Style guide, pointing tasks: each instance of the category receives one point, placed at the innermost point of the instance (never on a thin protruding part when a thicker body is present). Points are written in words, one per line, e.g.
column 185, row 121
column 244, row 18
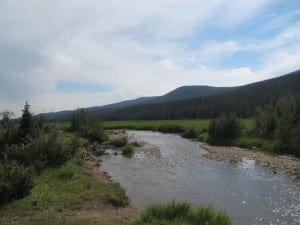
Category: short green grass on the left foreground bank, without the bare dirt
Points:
column 61, row 189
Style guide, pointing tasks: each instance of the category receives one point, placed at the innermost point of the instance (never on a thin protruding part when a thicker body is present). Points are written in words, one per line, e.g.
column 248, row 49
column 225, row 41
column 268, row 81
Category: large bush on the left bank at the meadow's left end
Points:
column 87, row 125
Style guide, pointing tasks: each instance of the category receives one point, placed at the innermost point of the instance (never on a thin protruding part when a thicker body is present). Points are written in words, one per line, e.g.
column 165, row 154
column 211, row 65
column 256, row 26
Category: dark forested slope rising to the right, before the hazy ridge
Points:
column 243, row 100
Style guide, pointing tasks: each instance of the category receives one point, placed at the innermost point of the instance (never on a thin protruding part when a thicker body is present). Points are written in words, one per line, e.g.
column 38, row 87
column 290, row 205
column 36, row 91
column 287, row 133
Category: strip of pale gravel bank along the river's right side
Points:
column 235, row 154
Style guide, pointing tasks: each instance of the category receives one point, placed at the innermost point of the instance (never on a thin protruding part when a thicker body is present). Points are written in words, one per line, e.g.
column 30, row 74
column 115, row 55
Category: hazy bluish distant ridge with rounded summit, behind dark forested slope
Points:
column 181, row 93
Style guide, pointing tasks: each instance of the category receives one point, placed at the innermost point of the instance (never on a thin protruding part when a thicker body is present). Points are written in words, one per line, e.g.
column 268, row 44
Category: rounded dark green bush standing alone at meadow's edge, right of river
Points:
column 224, row 129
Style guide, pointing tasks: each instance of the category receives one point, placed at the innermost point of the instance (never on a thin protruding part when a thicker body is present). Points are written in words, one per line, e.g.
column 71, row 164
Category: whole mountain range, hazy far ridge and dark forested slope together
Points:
column 197, row 101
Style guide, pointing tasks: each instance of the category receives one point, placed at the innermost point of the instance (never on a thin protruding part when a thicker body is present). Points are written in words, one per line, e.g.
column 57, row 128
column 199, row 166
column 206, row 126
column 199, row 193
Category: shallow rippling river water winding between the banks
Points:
column 249, row 193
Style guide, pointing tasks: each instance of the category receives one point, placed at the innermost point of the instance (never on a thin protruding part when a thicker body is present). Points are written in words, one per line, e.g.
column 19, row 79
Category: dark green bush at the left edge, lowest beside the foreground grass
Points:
column 15, row 182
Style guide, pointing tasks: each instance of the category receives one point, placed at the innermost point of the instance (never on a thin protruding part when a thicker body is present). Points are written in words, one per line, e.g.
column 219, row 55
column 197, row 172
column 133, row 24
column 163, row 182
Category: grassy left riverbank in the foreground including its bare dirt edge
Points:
column 76, row 193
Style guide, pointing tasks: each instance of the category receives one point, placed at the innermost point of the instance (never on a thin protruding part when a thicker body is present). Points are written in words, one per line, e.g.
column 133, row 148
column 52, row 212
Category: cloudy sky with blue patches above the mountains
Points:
column 60, row 54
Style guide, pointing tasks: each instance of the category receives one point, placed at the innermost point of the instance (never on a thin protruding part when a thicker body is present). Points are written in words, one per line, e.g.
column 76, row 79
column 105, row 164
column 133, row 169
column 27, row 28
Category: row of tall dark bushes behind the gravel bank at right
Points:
column 278, row 122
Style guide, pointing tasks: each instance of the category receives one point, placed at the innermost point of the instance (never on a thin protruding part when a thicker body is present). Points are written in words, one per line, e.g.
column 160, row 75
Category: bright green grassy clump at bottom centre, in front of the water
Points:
column 181, row 213
